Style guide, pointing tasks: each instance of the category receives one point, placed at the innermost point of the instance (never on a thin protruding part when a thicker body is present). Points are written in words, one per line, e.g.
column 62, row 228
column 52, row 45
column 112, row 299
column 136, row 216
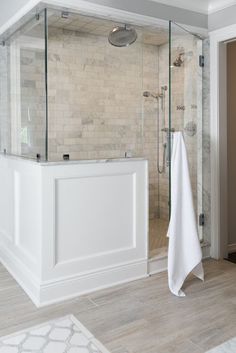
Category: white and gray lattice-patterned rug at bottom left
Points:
column 65, row 335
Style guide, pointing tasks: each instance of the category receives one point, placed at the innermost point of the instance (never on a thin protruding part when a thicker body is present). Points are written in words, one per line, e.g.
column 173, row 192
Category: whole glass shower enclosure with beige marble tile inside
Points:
column 65, row 92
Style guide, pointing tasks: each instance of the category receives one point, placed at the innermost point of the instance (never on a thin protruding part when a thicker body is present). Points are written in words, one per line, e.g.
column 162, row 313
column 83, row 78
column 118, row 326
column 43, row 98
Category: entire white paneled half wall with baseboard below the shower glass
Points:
column 73, row 228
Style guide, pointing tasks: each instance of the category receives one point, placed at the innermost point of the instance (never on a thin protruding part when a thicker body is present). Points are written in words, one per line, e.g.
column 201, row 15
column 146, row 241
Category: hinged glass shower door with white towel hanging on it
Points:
column 186, row 102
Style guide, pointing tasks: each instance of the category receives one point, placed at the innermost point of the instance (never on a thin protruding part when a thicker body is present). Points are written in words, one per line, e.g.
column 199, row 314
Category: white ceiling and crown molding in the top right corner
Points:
column 202, row 6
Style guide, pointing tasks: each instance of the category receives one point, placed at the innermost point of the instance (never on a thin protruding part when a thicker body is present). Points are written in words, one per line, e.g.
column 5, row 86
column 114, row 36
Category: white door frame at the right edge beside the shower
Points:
column 218, row 134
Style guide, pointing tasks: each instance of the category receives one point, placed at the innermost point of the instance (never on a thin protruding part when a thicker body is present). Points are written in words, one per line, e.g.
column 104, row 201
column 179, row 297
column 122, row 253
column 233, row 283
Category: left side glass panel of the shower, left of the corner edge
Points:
column 23, row 97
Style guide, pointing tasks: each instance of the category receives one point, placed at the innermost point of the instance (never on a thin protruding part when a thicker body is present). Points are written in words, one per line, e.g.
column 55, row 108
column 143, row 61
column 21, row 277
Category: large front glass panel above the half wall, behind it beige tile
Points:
column 95, row 90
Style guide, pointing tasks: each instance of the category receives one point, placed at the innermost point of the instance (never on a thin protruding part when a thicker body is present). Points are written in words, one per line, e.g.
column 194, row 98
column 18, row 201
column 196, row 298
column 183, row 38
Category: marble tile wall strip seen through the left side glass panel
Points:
column 32, row 102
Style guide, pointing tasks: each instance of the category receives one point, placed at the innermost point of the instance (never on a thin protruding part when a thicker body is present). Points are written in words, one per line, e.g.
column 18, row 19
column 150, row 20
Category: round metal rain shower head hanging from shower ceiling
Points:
column 122, row 36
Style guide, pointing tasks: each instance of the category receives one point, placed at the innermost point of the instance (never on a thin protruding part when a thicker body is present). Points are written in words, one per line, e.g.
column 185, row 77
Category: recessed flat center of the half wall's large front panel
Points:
column 94, row 216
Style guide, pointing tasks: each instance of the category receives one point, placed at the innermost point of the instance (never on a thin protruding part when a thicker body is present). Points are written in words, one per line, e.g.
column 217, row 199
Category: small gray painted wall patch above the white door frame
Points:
column 222, row 18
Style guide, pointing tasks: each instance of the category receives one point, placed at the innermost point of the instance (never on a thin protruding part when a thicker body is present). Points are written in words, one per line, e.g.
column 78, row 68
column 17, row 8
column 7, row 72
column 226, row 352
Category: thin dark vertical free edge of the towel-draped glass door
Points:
column 170, row 112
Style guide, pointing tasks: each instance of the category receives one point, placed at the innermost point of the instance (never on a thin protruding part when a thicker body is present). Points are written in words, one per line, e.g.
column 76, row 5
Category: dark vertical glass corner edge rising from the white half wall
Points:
column 46, row 81
